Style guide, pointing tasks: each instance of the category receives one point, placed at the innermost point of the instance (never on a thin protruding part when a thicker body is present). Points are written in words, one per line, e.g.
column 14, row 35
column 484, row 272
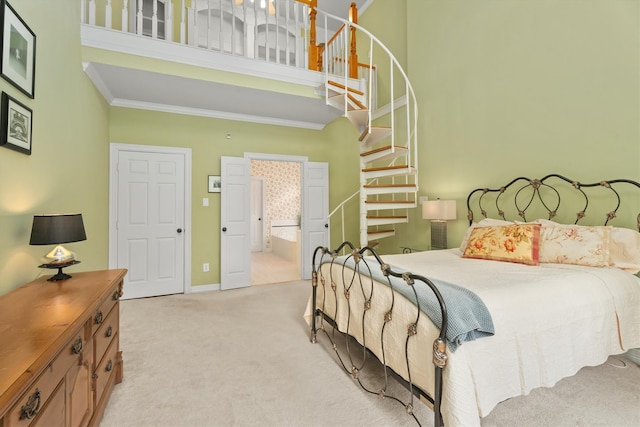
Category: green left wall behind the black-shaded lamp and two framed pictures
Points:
column 68, row 168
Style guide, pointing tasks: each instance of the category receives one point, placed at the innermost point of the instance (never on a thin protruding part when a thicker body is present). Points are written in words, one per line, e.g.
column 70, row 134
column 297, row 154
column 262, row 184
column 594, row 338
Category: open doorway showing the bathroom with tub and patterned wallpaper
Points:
column 276, row 194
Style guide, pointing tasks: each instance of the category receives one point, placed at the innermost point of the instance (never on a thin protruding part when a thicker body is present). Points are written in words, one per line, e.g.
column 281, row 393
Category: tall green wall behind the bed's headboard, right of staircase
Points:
column 528, row 87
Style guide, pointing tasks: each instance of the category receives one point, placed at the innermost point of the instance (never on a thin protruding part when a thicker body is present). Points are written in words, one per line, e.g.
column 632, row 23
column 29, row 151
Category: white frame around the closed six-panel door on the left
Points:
column 114, row 149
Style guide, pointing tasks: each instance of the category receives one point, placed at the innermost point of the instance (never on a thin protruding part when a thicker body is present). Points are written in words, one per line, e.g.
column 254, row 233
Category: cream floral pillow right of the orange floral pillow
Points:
column 575, row 244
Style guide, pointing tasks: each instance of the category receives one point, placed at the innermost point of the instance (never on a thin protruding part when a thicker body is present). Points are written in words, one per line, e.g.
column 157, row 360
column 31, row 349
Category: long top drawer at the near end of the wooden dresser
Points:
column 44, row 389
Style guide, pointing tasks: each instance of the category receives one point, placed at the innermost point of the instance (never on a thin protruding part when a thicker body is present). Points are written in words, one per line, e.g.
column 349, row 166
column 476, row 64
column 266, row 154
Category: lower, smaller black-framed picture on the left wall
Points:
column 16, row 124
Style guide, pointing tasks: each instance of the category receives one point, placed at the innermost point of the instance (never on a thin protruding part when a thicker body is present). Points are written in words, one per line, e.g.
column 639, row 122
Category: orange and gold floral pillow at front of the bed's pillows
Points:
column 514, row 243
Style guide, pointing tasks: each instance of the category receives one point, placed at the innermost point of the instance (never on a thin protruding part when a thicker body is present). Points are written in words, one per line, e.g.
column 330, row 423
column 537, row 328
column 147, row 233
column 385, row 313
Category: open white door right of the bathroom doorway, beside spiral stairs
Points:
column 315, row 212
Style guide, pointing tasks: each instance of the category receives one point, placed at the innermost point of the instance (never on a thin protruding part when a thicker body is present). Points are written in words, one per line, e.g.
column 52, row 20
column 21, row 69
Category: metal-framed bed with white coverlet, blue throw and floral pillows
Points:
column 469, row 327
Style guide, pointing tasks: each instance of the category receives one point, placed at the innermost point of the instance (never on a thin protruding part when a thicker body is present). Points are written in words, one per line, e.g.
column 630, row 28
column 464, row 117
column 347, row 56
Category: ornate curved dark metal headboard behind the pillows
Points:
column 529, row 199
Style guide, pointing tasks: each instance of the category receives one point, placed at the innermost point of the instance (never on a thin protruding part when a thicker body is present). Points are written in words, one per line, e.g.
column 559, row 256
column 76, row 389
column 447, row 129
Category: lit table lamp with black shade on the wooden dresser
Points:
column 56, row 229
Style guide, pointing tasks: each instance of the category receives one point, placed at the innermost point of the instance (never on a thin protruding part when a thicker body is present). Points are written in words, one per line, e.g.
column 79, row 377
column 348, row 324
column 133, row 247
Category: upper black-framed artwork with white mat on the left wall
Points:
column 18, row 45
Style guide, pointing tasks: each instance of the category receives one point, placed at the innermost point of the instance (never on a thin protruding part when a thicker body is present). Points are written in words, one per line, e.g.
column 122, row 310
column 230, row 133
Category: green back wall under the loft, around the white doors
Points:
column 207, row 138
